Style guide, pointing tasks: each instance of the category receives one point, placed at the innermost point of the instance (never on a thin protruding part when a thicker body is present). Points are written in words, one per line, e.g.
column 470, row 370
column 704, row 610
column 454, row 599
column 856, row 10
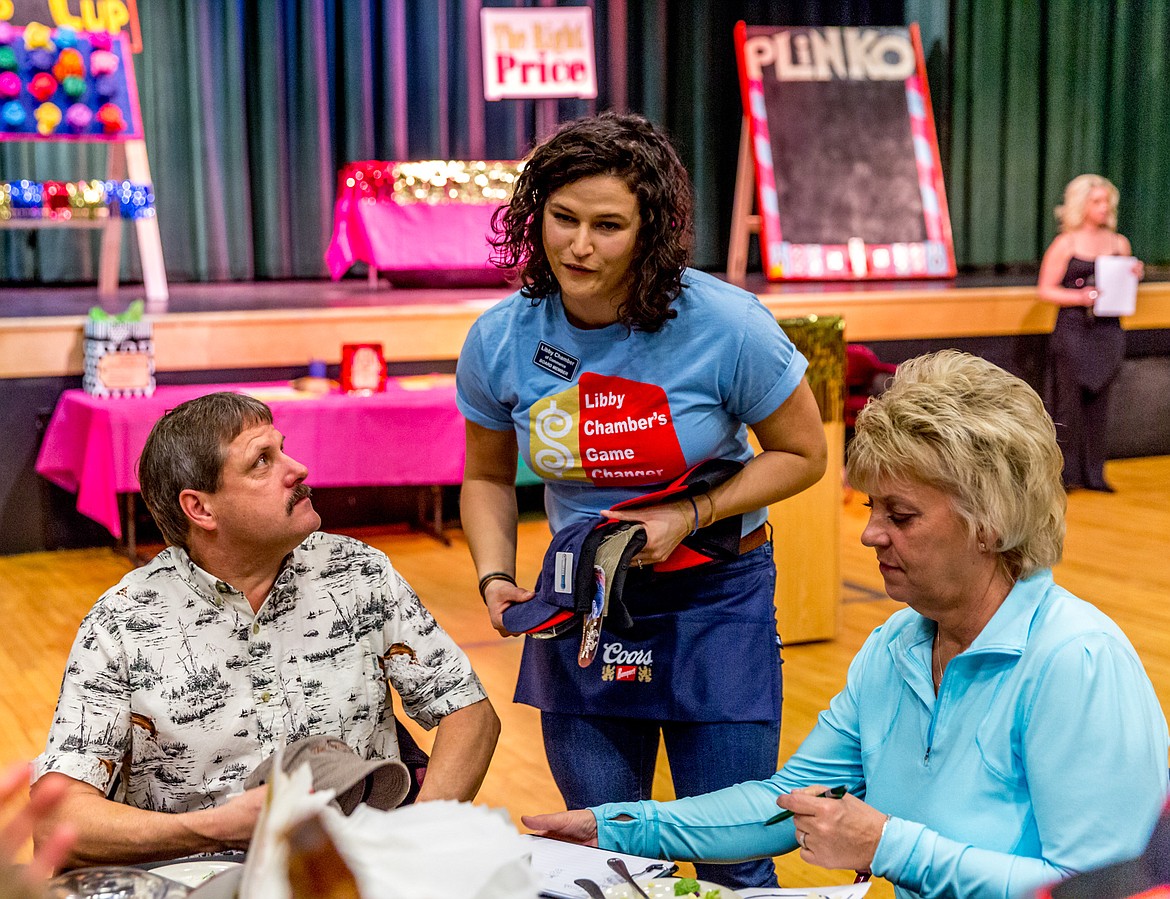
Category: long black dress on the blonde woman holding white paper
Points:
column 1085, row 355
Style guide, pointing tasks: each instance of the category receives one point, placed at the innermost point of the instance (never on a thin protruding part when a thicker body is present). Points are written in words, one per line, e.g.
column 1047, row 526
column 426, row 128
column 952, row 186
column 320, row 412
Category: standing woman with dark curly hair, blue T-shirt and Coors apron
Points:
column 614, row 372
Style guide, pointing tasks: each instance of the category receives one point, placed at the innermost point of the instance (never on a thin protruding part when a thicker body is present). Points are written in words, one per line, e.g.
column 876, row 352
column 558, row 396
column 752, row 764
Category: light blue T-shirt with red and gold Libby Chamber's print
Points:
column 607, row 415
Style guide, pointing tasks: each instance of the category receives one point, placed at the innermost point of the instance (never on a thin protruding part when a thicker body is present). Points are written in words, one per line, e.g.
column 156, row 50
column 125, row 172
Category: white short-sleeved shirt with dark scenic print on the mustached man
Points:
column 175, row 685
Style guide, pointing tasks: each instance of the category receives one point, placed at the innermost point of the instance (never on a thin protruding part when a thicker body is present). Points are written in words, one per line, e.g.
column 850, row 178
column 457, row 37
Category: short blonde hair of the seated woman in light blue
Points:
column 967, row 428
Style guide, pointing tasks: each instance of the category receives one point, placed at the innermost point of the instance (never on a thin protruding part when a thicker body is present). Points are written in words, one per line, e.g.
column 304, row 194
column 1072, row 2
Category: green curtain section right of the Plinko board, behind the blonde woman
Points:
column 1043, row 92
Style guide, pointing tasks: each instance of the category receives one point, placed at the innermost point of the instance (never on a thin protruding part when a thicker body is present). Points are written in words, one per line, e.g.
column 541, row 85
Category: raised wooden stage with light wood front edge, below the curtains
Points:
column 278, row 325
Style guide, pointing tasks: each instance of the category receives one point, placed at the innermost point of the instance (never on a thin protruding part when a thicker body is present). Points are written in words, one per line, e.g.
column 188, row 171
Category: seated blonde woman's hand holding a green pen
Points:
column 839, row 834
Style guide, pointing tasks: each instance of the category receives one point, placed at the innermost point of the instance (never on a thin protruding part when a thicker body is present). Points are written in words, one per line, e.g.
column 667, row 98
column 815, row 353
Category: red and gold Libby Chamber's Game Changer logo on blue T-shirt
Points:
column 608, row 431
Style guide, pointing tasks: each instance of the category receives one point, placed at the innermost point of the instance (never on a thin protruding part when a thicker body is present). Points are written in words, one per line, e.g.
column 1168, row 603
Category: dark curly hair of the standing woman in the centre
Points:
column 632, row 149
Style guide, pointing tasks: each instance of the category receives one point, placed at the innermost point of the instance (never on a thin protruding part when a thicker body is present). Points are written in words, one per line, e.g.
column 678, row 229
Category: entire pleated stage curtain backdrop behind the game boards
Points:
column 251, row 107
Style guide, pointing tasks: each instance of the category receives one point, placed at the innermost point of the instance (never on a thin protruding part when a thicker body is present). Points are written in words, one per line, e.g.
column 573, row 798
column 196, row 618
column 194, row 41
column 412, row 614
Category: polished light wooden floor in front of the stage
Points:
column 1117, row 557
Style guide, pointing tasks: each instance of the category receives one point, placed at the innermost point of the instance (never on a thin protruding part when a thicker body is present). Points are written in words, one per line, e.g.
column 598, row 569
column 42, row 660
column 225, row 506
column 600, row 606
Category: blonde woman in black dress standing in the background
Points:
column 1086, row 351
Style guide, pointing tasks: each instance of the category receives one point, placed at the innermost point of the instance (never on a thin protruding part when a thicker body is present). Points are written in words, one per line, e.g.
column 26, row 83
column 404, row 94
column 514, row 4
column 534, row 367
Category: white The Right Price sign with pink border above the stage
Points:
column 539, row 53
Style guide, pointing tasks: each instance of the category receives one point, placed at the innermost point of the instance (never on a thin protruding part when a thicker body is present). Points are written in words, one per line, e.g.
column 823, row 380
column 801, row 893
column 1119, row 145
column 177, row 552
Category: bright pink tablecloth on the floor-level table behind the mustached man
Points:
column 411, row 435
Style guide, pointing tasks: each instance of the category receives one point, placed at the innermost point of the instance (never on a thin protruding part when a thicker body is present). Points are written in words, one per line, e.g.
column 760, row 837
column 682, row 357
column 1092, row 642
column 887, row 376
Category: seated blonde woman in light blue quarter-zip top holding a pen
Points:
column 1000, row 733
